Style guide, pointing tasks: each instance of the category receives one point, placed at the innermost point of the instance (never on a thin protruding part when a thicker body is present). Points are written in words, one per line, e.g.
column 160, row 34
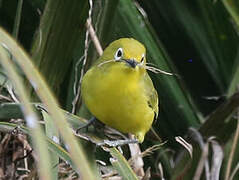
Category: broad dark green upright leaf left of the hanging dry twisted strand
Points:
column 61, row 25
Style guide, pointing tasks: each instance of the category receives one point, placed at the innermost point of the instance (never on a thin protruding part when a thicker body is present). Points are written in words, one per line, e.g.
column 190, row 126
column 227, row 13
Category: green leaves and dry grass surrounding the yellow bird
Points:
column 197, row 41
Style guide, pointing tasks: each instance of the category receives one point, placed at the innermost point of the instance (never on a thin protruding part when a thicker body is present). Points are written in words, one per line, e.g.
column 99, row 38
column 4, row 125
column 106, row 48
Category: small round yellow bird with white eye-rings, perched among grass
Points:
column 118, row 90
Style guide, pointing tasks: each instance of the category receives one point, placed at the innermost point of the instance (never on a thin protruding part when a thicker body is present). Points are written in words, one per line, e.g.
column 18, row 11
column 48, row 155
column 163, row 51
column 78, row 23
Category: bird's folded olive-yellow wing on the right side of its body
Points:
column 151, row 94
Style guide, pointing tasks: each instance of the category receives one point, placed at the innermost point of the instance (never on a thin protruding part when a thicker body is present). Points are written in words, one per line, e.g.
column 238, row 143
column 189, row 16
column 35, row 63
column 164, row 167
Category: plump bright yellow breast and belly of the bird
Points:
column 116, row 97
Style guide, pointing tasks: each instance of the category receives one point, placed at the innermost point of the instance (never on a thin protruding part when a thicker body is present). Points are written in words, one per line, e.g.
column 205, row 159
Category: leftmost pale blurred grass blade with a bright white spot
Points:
column 30, row 116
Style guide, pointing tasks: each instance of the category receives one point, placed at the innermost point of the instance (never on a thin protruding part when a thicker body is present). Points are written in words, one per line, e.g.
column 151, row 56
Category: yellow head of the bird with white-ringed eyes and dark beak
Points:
column 127, row 51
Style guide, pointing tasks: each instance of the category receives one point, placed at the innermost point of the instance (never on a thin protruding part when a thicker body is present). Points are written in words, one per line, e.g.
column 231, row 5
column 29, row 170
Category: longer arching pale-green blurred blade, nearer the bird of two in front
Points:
column 47, row 98
